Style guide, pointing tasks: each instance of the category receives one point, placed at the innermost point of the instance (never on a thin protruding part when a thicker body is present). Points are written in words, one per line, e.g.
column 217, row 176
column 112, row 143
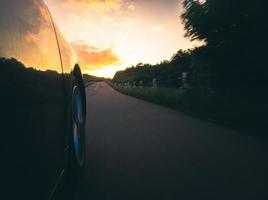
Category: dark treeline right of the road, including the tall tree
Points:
column 228, row 75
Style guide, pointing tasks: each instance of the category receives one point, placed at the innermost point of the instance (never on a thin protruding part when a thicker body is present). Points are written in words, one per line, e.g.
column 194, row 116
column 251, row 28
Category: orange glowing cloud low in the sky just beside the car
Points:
column 92, row 58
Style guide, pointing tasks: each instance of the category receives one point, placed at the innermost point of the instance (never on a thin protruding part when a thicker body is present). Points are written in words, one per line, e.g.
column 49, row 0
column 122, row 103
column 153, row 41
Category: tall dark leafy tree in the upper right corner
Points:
column 235, row 32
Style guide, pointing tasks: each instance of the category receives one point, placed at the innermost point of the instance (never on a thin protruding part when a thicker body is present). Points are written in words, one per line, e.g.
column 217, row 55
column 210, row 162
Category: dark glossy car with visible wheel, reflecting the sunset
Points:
column 43, row 104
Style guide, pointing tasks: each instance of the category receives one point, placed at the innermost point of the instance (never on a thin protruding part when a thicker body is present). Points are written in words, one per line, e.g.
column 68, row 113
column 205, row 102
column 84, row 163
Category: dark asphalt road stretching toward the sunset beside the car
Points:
column 138, row 150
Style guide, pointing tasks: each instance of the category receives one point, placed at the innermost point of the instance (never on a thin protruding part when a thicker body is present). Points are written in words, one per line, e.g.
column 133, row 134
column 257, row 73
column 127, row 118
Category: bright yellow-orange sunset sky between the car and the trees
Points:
column 111, row 35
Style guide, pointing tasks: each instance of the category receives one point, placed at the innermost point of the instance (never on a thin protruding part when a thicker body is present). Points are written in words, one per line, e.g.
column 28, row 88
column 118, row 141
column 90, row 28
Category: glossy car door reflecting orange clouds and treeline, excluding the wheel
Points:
column 32, row 101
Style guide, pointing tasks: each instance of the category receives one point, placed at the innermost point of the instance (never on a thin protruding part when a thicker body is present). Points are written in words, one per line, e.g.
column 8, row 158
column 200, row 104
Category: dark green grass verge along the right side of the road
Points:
column 201, row 103
